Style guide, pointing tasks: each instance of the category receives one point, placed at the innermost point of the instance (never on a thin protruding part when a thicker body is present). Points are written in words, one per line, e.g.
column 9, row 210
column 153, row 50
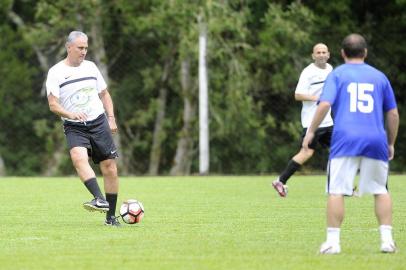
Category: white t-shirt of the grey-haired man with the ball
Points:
column 77, row 88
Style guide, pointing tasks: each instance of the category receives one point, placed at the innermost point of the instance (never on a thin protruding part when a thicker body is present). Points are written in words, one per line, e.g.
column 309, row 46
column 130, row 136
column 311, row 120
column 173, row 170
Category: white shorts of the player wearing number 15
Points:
column 342, row 171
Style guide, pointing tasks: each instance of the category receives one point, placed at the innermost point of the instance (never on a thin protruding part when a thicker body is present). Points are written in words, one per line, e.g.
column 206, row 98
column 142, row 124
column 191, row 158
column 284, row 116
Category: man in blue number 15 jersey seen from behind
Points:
column 362, row 100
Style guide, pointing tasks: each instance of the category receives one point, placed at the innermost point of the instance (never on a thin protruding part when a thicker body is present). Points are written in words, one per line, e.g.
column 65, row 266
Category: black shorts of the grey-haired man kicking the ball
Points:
column 94, row 135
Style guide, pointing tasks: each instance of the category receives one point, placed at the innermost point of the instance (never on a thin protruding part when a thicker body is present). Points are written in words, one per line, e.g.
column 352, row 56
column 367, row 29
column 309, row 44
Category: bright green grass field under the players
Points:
column 191, row 223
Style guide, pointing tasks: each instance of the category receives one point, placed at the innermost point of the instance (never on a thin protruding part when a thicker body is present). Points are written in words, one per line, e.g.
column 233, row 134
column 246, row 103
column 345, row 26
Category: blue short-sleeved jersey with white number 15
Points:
column 359, row 95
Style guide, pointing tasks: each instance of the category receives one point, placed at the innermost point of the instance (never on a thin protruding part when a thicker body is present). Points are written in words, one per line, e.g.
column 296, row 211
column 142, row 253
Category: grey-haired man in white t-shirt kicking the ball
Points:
column 78, row 94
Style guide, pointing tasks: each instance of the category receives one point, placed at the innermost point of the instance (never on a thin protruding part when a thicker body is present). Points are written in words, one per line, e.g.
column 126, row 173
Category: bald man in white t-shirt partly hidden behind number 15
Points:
column 308, row 91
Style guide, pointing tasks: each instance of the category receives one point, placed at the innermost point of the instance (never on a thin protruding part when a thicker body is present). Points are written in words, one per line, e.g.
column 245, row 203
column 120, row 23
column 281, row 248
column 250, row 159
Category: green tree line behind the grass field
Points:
column 148, row 54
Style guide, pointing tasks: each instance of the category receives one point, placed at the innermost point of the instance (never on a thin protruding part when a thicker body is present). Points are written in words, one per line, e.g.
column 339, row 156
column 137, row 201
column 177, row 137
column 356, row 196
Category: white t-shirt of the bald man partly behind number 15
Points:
column 311, row 82
